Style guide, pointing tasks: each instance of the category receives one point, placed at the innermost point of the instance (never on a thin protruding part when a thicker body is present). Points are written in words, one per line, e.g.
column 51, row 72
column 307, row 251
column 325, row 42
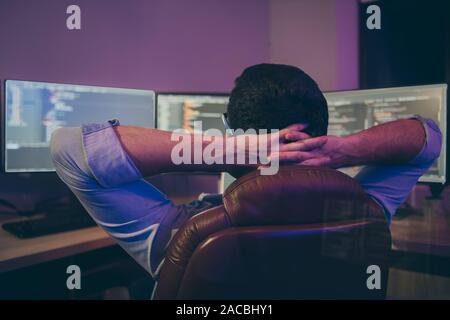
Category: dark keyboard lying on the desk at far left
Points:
column 50, row 224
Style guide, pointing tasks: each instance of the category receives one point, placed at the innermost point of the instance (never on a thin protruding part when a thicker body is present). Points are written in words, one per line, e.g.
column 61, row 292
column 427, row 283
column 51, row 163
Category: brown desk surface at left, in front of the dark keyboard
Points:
column 17, row 253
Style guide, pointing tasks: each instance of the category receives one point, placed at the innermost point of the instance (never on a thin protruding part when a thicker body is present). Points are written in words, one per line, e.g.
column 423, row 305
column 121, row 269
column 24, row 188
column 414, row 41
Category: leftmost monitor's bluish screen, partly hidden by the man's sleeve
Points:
column 33, row 110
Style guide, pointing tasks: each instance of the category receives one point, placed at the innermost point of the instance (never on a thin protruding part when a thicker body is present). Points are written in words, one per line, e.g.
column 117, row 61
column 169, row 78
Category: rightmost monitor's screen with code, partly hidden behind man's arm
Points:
column 352, row 111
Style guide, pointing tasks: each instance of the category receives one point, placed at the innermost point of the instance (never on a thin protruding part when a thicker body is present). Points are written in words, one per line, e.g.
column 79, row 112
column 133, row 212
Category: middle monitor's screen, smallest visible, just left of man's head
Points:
column 177, row 111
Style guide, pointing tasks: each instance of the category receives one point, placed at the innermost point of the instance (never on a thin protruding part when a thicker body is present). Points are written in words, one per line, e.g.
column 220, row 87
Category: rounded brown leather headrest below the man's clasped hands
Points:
column 298, row 194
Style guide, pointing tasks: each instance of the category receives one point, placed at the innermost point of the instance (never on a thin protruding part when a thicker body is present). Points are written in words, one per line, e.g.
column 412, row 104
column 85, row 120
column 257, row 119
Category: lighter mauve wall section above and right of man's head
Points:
column 319, row 36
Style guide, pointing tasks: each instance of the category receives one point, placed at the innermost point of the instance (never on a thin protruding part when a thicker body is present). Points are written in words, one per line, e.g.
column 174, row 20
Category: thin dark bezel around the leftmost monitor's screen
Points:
column 3, row 117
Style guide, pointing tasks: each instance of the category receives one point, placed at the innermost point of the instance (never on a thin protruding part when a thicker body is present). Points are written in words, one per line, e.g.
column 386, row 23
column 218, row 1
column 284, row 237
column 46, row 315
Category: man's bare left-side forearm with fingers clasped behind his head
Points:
column 155, row 151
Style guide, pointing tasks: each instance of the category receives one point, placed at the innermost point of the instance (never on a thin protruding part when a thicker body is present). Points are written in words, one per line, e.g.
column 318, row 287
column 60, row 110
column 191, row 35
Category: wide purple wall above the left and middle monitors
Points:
column 159, row 44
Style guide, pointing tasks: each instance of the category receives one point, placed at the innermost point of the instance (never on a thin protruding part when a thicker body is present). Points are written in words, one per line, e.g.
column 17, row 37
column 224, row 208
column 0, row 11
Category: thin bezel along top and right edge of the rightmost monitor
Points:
column 443, row 113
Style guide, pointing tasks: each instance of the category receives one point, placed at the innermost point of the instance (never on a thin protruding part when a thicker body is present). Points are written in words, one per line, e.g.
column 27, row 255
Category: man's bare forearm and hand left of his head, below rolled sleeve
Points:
column 151, row 149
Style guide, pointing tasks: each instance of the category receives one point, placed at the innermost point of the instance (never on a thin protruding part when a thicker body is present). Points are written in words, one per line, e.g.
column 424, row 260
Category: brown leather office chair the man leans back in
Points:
column 306, row 232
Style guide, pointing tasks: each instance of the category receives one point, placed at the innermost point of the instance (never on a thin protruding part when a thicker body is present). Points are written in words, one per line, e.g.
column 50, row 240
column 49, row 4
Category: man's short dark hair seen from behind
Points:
column 273, row 96
